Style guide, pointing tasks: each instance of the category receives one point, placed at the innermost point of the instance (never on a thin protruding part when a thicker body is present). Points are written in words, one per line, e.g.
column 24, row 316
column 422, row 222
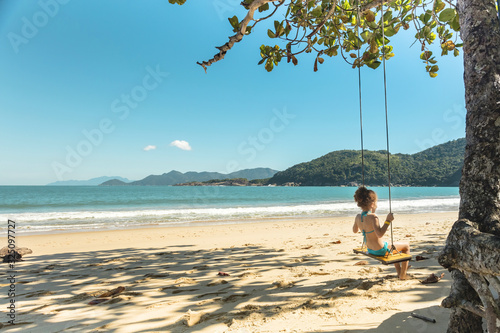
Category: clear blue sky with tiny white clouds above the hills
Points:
column 91, row 88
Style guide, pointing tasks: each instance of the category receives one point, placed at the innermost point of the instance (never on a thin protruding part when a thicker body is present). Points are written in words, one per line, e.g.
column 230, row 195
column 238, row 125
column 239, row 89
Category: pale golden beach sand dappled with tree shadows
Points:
column 283, row 276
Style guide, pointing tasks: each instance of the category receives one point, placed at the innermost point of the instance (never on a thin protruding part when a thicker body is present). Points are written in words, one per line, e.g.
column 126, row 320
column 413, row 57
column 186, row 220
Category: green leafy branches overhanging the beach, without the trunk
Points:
column 358, row 31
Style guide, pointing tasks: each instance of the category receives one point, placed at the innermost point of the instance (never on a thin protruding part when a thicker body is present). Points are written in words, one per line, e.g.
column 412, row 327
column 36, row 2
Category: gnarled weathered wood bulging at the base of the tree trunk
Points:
column 473, row 257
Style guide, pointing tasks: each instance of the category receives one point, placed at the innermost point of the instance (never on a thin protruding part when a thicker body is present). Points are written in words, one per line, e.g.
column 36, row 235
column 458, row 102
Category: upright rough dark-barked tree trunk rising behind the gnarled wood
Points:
column 480, row 182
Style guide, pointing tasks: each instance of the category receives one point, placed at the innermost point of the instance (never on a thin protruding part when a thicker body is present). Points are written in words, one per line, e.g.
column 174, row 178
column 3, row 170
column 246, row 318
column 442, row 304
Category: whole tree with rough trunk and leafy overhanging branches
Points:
column 359, row 31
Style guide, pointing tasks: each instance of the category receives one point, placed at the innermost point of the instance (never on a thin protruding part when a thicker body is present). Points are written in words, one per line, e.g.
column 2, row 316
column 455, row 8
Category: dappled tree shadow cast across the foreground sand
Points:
column 177, row 289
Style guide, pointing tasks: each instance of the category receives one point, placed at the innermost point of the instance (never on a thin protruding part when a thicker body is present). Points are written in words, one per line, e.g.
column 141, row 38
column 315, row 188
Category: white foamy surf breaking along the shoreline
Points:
column 127, row 218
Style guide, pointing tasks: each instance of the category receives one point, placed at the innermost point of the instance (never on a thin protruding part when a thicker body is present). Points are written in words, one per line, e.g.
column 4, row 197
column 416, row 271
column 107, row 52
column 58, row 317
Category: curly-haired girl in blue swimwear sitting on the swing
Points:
column 368, row 223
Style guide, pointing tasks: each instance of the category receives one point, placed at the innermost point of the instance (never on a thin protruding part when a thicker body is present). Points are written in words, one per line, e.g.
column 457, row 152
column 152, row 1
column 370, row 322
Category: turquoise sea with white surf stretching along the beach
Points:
column 54, row 209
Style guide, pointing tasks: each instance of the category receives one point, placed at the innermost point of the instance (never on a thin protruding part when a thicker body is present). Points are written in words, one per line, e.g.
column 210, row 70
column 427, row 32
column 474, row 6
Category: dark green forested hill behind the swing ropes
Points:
column 440, row 165
